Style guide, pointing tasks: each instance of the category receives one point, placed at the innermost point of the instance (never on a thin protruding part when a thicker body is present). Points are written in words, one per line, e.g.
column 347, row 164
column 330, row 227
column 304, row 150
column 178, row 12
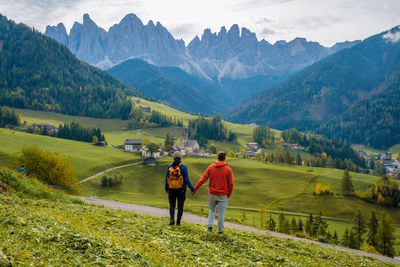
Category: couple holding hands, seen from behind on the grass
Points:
column 220, row 188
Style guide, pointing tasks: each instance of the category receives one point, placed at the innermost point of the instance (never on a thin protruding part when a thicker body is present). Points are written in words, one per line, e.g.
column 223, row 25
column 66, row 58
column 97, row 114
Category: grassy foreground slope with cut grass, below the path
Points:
column 44, row 232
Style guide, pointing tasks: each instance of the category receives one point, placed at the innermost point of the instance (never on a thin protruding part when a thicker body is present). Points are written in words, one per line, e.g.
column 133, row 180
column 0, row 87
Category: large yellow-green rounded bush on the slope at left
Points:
column 50, row 168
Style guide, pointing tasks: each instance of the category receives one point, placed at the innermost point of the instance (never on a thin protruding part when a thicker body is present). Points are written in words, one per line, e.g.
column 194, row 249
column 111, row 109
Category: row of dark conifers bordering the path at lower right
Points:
column 374, row 235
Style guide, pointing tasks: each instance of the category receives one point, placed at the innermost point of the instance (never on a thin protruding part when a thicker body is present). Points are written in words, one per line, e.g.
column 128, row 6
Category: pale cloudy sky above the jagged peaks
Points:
column 326, row 22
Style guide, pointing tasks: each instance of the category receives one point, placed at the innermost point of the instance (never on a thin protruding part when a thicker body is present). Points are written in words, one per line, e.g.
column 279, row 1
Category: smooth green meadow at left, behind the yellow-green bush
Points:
column 87, row 159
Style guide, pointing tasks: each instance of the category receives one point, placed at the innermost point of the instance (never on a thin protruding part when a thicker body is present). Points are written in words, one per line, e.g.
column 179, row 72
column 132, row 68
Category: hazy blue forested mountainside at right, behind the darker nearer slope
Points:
column 338, row 85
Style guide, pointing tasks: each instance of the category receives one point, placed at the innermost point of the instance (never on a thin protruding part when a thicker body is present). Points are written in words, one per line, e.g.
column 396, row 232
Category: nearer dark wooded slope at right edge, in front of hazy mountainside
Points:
column 373, row 122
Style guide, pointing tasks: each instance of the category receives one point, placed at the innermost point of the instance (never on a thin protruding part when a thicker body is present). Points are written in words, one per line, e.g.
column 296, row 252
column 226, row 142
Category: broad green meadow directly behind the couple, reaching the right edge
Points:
column 275, row 186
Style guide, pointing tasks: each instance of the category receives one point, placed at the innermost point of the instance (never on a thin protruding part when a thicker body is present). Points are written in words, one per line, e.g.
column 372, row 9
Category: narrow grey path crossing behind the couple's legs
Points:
column 191, row 218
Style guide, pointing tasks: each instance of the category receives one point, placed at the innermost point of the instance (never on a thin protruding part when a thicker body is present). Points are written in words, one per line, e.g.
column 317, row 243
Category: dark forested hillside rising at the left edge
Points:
column 37, row 72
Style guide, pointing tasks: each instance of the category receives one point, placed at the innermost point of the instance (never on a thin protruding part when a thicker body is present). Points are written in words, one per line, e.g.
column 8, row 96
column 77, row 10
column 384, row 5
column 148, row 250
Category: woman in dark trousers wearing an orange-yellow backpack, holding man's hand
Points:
column 176, row 181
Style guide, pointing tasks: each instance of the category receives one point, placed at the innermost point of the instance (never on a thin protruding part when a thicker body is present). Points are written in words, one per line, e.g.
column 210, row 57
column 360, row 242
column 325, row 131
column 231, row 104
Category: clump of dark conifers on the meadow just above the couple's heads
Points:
column 203, row 129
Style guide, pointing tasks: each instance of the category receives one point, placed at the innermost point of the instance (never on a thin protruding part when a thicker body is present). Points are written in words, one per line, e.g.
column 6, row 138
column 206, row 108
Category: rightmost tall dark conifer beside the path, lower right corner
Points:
column 385, row 236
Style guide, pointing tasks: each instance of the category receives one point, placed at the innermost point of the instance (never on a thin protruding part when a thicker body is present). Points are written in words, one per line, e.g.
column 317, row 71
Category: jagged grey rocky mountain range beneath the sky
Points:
column 233, row 54
